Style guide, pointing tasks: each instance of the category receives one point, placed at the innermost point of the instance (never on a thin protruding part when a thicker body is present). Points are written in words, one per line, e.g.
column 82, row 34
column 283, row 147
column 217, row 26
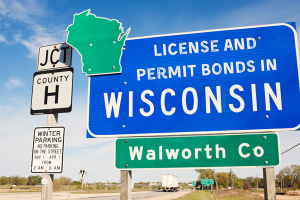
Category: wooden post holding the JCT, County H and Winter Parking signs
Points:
column 47, row 189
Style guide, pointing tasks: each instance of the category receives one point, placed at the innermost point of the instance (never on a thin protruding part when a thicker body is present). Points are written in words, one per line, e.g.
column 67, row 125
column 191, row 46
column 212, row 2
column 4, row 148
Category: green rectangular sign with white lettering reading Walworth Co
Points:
column 217, row 151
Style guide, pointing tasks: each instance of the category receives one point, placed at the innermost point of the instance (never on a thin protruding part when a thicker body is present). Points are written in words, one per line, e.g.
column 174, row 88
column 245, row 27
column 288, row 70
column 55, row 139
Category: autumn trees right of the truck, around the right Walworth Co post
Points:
column 290, row 177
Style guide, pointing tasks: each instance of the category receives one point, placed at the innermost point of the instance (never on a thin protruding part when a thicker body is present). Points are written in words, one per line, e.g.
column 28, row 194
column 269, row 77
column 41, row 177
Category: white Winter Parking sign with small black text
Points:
column 48, row 150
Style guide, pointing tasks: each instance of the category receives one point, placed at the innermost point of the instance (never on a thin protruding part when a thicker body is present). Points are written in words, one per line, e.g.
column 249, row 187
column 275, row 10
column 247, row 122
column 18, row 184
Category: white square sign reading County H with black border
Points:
column 52, row 91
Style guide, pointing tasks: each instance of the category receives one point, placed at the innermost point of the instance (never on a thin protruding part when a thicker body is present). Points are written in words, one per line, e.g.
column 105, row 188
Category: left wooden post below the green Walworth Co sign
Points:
column 126, row 177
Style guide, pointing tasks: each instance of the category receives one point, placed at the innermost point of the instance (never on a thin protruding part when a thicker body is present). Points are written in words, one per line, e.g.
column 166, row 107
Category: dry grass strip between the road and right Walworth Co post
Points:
column 221, row 194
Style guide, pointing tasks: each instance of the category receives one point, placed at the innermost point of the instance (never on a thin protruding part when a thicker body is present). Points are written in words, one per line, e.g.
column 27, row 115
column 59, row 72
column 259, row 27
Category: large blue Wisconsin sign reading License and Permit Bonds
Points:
column 217, row 81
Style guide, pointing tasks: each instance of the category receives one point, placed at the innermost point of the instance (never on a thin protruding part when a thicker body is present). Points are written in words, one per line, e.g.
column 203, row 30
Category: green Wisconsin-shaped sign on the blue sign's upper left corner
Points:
column 98, row 42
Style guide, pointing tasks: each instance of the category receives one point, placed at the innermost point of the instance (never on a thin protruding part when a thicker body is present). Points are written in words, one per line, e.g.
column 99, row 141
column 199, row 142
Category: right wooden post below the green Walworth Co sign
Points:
column 269, row 183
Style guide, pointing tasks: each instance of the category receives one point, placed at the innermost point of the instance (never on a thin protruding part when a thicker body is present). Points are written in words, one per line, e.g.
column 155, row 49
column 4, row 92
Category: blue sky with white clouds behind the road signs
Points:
column 26, row 25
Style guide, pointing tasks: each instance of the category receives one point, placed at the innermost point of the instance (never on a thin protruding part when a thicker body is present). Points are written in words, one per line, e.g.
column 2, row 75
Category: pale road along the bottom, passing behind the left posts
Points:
column 147, row 195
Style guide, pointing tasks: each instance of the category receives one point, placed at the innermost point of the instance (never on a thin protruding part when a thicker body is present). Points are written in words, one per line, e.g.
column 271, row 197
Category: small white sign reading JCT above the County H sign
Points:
column 54, row 56
